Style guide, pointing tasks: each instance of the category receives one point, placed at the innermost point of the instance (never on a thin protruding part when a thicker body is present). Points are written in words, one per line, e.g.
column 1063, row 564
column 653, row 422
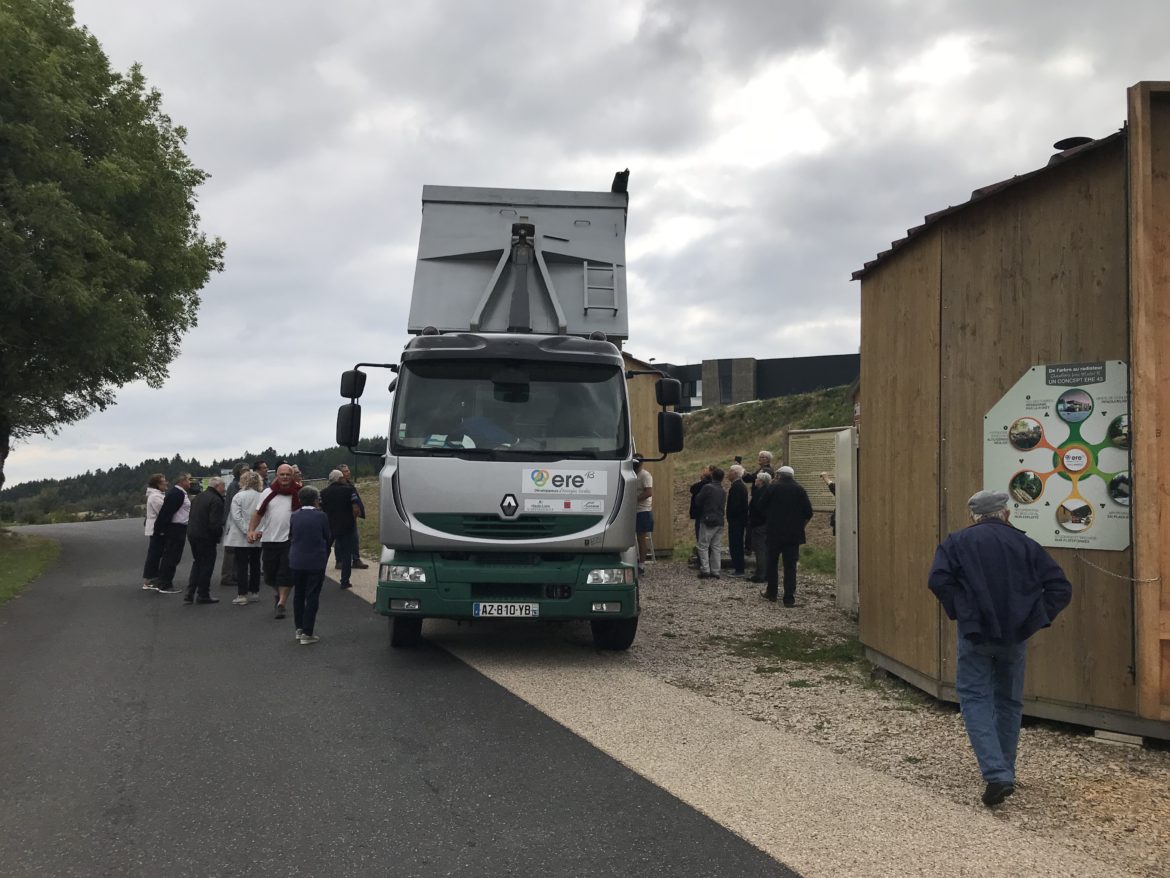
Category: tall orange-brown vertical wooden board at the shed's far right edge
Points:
column 1150, row 301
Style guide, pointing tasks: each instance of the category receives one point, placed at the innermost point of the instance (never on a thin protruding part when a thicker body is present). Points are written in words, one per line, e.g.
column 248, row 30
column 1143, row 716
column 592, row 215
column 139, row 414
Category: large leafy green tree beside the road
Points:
column 101, row 253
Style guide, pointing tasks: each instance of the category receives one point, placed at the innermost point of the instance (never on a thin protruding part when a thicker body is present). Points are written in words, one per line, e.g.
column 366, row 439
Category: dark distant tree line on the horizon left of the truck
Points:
column 120, row 492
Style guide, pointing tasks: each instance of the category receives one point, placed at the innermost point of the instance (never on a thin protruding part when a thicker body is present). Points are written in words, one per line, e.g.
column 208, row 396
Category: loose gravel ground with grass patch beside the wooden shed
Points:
column 1110, row 801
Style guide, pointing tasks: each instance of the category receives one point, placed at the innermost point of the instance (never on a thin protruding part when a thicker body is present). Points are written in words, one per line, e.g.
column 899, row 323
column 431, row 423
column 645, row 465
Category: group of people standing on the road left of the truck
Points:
column 280, row 531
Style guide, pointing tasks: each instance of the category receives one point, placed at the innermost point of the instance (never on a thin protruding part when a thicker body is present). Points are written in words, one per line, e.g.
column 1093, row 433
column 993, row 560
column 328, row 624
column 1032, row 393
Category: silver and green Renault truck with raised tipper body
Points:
column 508, row 490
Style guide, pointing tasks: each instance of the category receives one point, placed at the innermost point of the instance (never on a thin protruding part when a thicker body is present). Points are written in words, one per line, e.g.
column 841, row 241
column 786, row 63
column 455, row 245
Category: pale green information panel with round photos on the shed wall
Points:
column 1058, row 443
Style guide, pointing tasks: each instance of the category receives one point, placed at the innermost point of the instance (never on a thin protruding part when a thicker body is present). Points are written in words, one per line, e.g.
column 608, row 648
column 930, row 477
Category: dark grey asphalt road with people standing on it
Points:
column 142, row 737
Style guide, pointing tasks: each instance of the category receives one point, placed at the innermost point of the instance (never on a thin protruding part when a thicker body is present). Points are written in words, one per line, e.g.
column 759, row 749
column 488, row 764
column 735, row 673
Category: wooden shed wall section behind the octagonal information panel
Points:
column 1038, row 275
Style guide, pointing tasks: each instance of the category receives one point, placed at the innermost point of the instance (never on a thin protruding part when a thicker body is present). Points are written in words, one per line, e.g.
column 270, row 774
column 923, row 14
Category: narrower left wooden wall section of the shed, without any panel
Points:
column 899, row 458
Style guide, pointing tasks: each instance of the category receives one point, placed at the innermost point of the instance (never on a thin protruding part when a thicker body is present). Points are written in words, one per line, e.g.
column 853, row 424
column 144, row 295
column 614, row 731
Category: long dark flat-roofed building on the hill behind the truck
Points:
column 726, row 382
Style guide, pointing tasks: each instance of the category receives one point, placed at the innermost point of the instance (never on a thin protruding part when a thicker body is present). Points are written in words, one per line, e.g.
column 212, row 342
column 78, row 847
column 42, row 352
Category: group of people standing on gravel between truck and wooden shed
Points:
column 767, row 519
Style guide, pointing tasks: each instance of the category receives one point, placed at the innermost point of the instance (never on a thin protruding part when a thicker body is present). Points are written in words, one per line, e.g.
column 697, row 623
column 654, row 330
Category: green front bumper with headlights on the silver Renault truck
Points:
column 558, row 585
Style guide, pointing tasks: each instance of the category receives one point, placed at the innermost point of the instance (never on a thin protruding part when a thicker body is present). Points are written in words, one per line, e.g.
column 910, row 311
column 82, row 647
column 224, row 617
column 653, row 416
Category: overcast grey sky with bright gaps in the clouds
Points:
column 774, row 148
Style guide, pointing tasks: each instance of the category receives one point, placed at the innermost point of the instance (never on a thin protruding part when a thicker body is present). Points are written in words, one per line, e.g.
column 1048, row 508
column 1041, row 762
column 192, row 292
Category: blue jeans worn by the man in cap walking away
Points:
column 990, row 684
